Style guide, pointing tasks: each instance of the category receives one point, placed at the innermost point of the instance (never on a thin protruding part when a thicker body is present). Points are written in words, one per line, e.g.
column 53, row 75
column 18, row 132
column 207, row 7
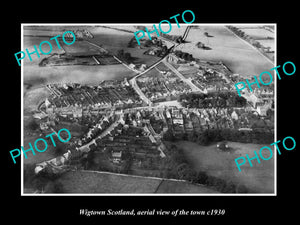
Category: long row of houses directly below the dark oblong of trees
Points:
column 190, row 120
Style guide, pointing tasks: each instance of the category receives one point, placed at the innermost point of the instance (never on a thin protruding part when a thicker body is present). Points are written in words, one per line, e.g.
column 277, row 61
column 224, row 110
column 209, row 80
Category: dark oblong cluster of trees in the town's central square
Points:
column 214, row 99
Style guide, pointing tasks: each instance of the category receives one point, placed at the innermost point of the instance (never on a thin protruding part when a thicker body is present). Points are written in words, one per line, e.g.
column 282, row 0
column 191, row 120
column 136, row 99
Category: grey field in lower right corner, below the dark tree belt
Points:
column 259, row 178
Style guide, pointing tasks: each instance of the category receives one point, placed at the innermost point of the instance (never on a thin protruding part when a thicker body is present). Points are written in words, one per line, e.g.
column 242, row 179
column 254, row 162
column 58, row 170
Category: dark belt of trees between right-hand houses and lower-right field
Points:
column 209, row 136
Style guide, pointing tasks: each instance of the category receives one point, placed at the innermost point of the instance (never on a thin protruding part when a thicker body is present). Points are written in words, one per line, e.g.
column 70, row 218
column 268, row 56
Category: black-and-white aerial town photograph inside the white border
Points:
column 159, row 118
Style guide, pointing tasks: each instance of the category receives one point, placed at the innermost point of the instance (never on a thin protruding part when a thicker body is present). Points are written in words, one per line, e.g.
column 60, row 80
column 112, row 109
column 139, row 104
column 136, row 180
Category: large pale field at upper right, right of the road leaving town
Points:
column 239, row 56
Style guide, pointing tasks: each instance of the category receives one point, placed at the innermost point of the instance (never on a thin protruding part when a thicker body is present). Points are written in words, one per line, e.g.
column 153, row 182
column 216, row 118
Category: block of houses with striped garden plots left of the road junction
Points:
column 77, row 100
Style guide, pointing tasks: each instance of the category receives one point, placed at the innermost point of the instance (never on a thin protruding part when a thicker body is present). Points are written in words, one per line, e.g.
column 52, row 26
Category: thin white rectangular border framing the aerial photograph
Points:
column 151, row 194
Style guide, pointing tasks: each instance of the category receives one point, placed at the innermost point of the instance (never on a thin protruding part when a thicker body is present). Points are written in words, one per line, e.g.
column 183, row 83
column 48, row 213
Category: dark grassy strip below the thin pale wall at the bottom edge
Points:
column 93, row 182
